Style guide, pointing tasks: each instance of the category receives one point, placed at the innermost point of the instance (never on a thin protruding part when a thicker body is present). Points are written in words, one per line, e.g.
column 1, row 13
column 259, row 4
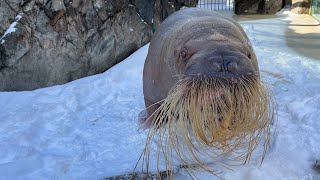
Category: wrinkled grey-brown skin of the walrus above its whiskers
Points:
column 205, row 34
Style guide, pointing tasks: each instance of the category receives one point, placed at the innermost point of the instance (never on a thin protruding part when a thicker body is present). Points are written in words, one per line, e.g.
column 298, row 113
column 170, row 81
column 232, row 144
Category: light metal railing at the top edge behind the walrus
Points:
column 217, row 5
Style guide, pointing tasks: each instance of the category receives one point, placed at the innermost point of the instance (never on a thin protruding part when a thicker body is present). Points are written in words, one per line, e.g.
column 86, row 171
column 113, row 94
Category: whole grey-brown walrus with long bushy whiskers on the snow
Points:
column 203, row 93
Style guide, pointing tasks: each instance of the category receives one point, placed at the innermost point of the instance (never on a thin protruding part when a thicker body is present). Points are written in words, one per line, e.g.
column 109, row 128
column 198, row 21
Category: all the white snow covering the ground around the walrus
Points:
column 88, row 128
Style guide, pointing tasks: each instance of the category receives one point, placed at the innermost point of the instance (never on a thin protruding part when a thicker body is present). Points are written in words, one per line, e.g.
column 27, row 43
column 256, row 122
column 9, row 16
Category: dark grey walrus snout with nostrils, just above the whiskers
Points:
column 226, row 64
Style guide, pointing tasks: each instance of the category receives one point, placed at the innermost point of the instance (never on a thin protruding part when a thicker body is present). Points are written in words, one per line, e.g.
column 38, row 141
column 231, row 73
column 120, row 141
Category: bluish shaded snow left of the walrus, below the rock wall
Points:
column 86, row 129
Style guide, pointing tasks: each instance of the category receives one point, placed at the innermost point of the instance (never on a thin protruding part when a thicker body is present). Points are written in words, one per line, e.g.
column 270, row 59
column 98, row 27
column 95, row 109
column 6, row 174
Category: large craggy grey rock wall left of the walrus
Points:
column 50, row 42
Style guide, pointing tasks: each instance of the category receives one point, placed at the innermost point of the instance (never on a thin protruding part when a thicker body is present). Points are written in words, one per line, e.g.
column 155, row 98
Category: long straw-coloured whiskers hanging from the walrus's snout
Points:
column 211, row 118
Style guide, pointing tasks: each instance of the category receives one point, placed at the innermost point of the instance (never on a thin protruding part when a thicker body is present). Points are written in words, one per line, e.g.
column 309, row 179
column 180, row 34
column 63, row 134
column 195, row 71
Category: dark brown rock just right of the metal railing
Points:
column 257, row 6
